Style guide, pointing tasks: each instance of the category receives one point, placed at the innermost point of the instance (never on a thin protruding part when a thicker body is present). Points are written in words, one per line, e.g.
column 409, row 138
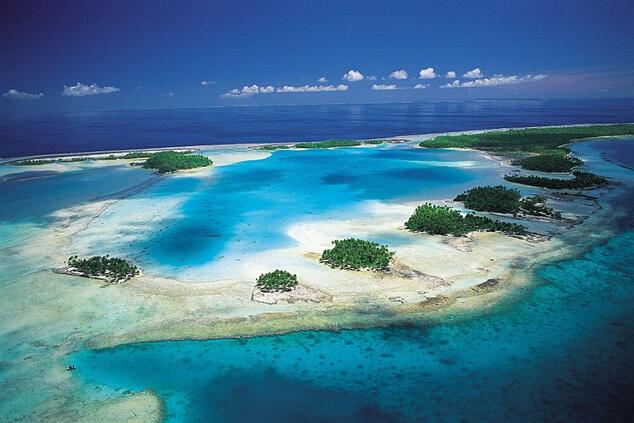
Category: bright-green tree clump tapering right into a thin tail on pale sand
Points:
column 442, row 220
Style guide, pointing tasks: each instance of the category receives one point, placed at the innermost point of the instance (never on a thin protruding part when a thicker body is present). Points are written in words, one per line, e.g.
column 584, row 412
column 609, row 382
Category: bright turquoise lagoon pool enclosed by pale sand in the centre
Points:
column 248, row 206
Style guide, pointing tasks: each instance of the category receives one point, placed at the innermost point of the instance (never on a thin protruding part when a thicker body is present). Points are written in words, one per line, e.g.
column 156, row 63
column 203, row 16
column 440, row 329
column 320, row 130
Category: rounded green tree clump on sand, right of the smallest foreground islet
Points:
column 357, row 254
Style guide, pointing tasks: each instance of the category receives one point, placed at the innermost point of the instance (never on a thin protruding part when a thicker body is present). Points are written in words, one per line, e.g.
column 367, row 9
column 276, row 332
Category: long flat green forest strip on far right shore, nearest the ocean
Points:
column 536, row 140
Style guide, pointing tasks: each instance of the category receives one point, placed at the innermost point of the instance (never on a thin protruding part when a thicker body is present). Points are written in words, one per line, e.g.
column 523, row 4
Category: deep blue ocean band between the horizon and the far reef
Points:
column 93, row 131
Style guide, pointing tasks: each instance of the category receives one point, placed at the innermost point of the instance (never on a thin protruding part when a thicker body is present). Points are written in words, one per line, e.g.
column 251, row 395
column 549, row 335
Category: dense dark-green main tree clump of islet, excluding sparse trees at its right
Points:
column 495, row 199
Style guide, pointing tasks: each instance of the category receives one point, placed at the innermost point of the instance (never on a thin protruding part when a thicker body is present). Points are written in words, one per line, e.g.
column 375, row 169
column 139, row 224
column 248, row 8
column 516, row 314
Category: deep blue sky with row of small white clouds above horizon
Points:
column 108, row 55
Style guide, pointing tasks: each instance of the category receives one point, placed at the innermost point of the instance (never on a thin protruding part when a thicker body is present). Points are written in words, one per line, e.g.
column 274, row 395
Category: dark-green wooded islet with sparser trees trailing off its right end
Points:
column 500, row 199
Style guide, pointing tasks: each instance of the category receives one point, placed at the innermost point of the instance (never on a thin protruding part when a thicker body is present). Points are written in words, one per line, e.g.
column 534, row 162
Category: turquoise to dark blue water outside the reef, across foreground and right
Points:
column 557, row 351
